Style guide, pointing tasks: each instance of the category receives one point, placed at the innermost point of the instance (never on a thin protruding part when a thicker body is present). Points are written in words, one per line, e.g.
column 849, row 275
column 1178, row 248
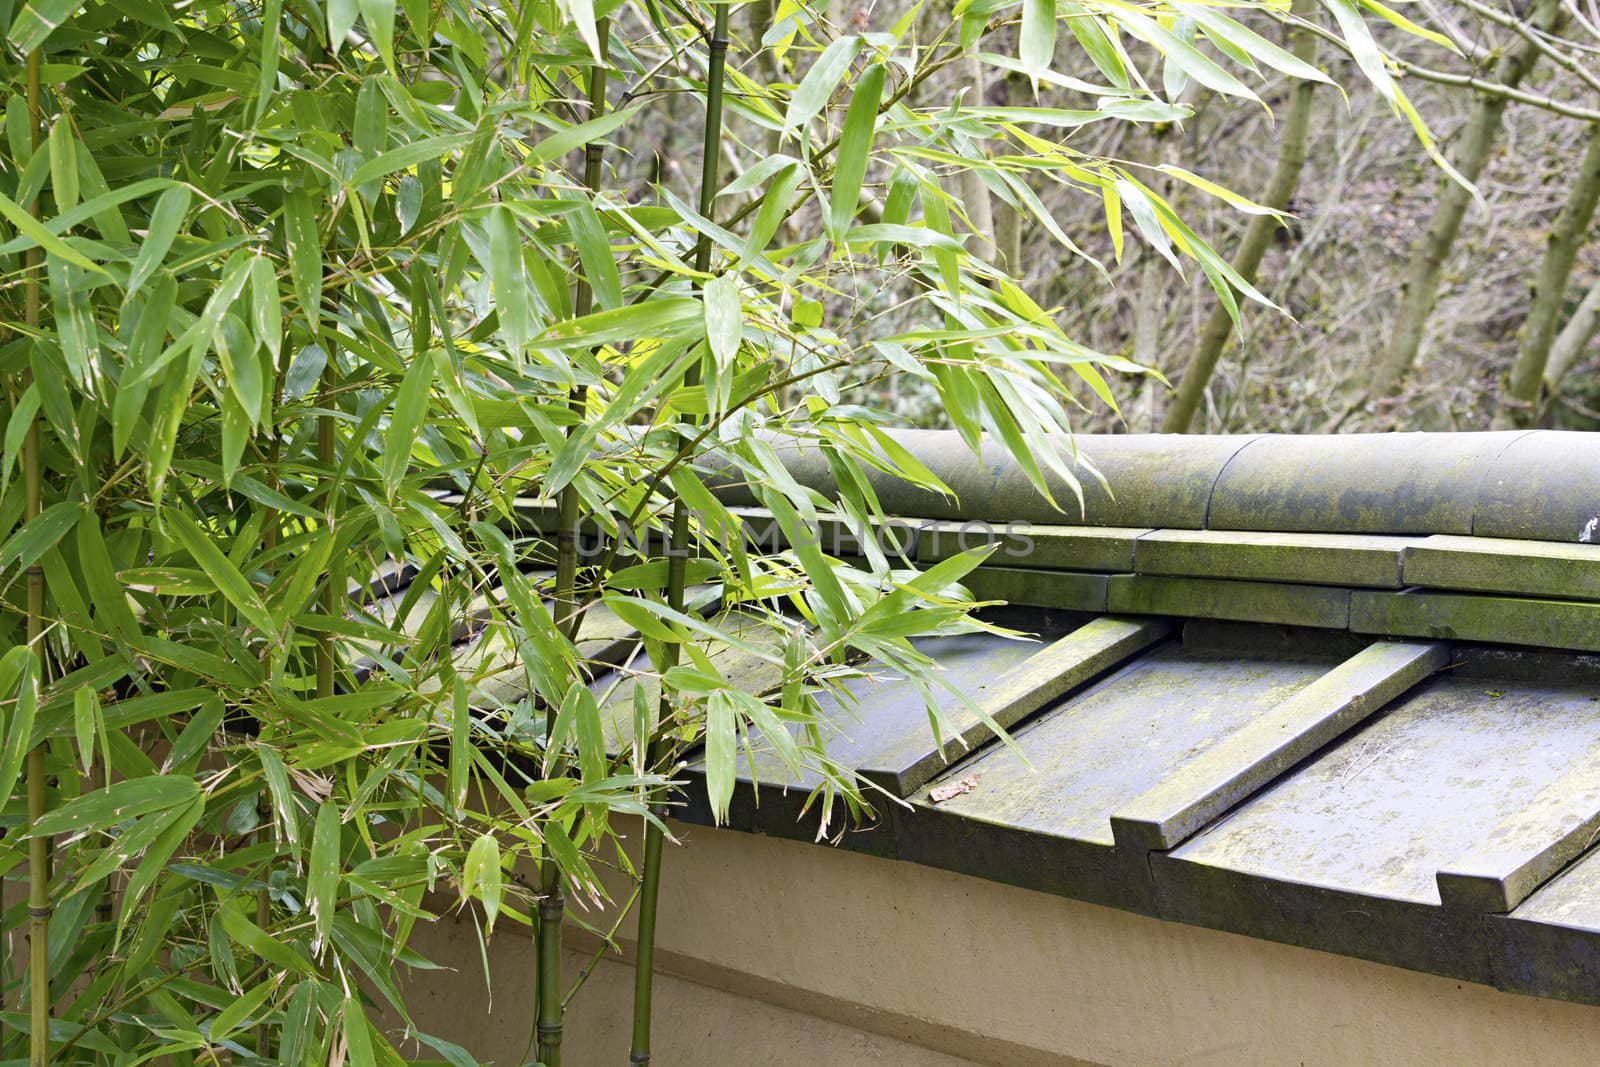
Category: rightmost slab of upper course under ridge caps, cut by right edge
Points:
column 1530, row 569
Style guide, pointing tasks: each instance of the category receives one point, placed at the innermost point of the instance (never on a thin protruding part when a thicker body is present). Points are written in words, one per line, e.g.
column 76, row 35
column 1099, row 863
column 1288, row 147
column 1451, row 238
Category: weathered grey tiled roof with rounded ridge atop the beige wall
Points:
column 1335, row 692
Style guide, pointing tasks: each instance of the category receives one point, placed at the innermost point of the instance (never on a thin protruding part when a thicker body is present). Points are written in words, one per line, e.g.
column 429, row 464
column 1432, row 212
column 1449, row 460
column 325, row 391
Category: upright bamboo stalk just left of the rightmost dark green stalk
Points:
column 553, row 905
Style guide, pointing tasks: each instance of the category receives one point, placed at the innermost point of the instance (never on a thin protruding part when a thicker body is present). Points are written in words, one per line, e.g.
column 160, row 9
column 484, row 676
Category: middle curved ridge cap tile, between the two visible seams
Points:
column 1378, row 484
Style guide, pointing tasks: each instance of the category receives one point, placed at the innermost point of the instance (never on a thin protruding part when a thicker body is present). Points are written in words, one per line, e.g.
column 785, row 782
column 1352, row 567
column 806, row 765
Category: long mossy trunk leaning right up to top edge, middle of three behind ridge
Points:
column 1420, row 284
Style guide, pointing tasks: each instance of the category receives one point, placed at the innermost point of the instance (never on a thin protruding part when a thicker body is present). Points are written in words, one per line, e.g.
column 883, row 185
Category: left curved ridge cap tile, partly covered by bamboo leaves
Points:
column 1151, row 481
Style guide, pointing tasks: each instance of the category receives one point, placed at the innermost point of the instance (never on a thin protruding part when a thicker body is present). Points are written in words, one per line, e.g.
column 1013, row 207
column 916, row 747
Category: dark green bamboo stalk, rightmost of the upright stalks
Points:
column 678, row 565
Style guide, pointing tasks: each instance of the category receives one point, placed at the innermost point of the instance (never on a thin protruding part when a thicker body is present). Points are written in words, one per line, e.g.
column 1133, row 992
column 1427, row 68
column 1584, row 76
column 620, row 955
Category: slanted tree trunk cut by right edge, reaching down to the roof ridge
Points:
column 1521, row 399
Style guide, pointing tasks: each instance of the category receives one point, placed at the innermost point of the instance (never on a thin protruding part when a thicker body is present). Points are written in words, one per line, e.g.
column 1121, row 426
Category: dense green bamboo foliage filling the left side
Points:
column 290, row 311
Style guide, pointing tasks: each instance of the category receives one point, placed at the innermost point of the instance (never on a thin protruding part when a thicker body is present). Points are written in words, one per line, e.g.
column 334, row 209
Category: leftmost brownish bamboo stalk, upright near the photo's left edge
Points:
column 38, row 847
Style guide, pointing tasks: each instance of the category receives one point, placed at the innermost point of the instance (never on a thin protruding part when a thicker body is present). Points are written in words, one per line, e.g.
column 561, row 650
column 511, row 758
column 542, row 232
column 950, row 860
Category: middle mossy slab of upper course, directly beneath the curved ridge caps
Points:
column 1273, row 557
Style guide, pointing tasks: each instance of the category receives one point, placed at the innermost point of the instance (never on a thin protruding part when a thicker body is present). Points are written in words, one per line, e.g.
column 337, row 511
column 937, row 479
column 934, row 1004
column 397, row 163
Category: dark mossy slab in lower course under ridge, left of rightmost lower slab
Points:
column 1326, row 607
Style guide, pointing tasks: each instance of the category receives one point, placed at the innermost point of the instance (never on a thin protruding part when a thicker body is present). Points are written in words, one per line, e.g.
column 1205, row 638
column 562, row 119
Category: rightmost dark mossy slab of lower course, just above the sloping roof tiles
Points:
column 1479, row 618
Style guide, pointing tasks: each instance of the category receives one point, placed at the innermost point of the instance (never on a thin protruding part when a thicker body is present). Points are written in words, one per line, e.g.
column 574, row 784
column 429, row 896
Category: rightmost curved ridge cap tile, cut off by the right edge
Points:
column 1543, row 487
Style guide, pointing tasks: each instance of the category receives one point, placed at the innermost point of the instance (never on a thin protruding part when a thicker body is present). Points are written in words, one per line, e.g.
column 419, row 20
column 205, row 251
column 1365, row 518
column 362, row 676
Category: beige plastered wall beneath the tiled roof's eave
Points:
column 778, row 953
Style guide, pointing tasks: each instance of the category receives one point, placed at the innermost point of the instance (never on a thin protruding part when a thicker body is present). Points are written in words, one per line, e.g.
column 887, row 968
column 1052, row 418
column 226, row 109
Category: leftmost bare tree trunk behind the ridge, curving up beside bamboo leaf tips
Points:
column 1258, row 236
